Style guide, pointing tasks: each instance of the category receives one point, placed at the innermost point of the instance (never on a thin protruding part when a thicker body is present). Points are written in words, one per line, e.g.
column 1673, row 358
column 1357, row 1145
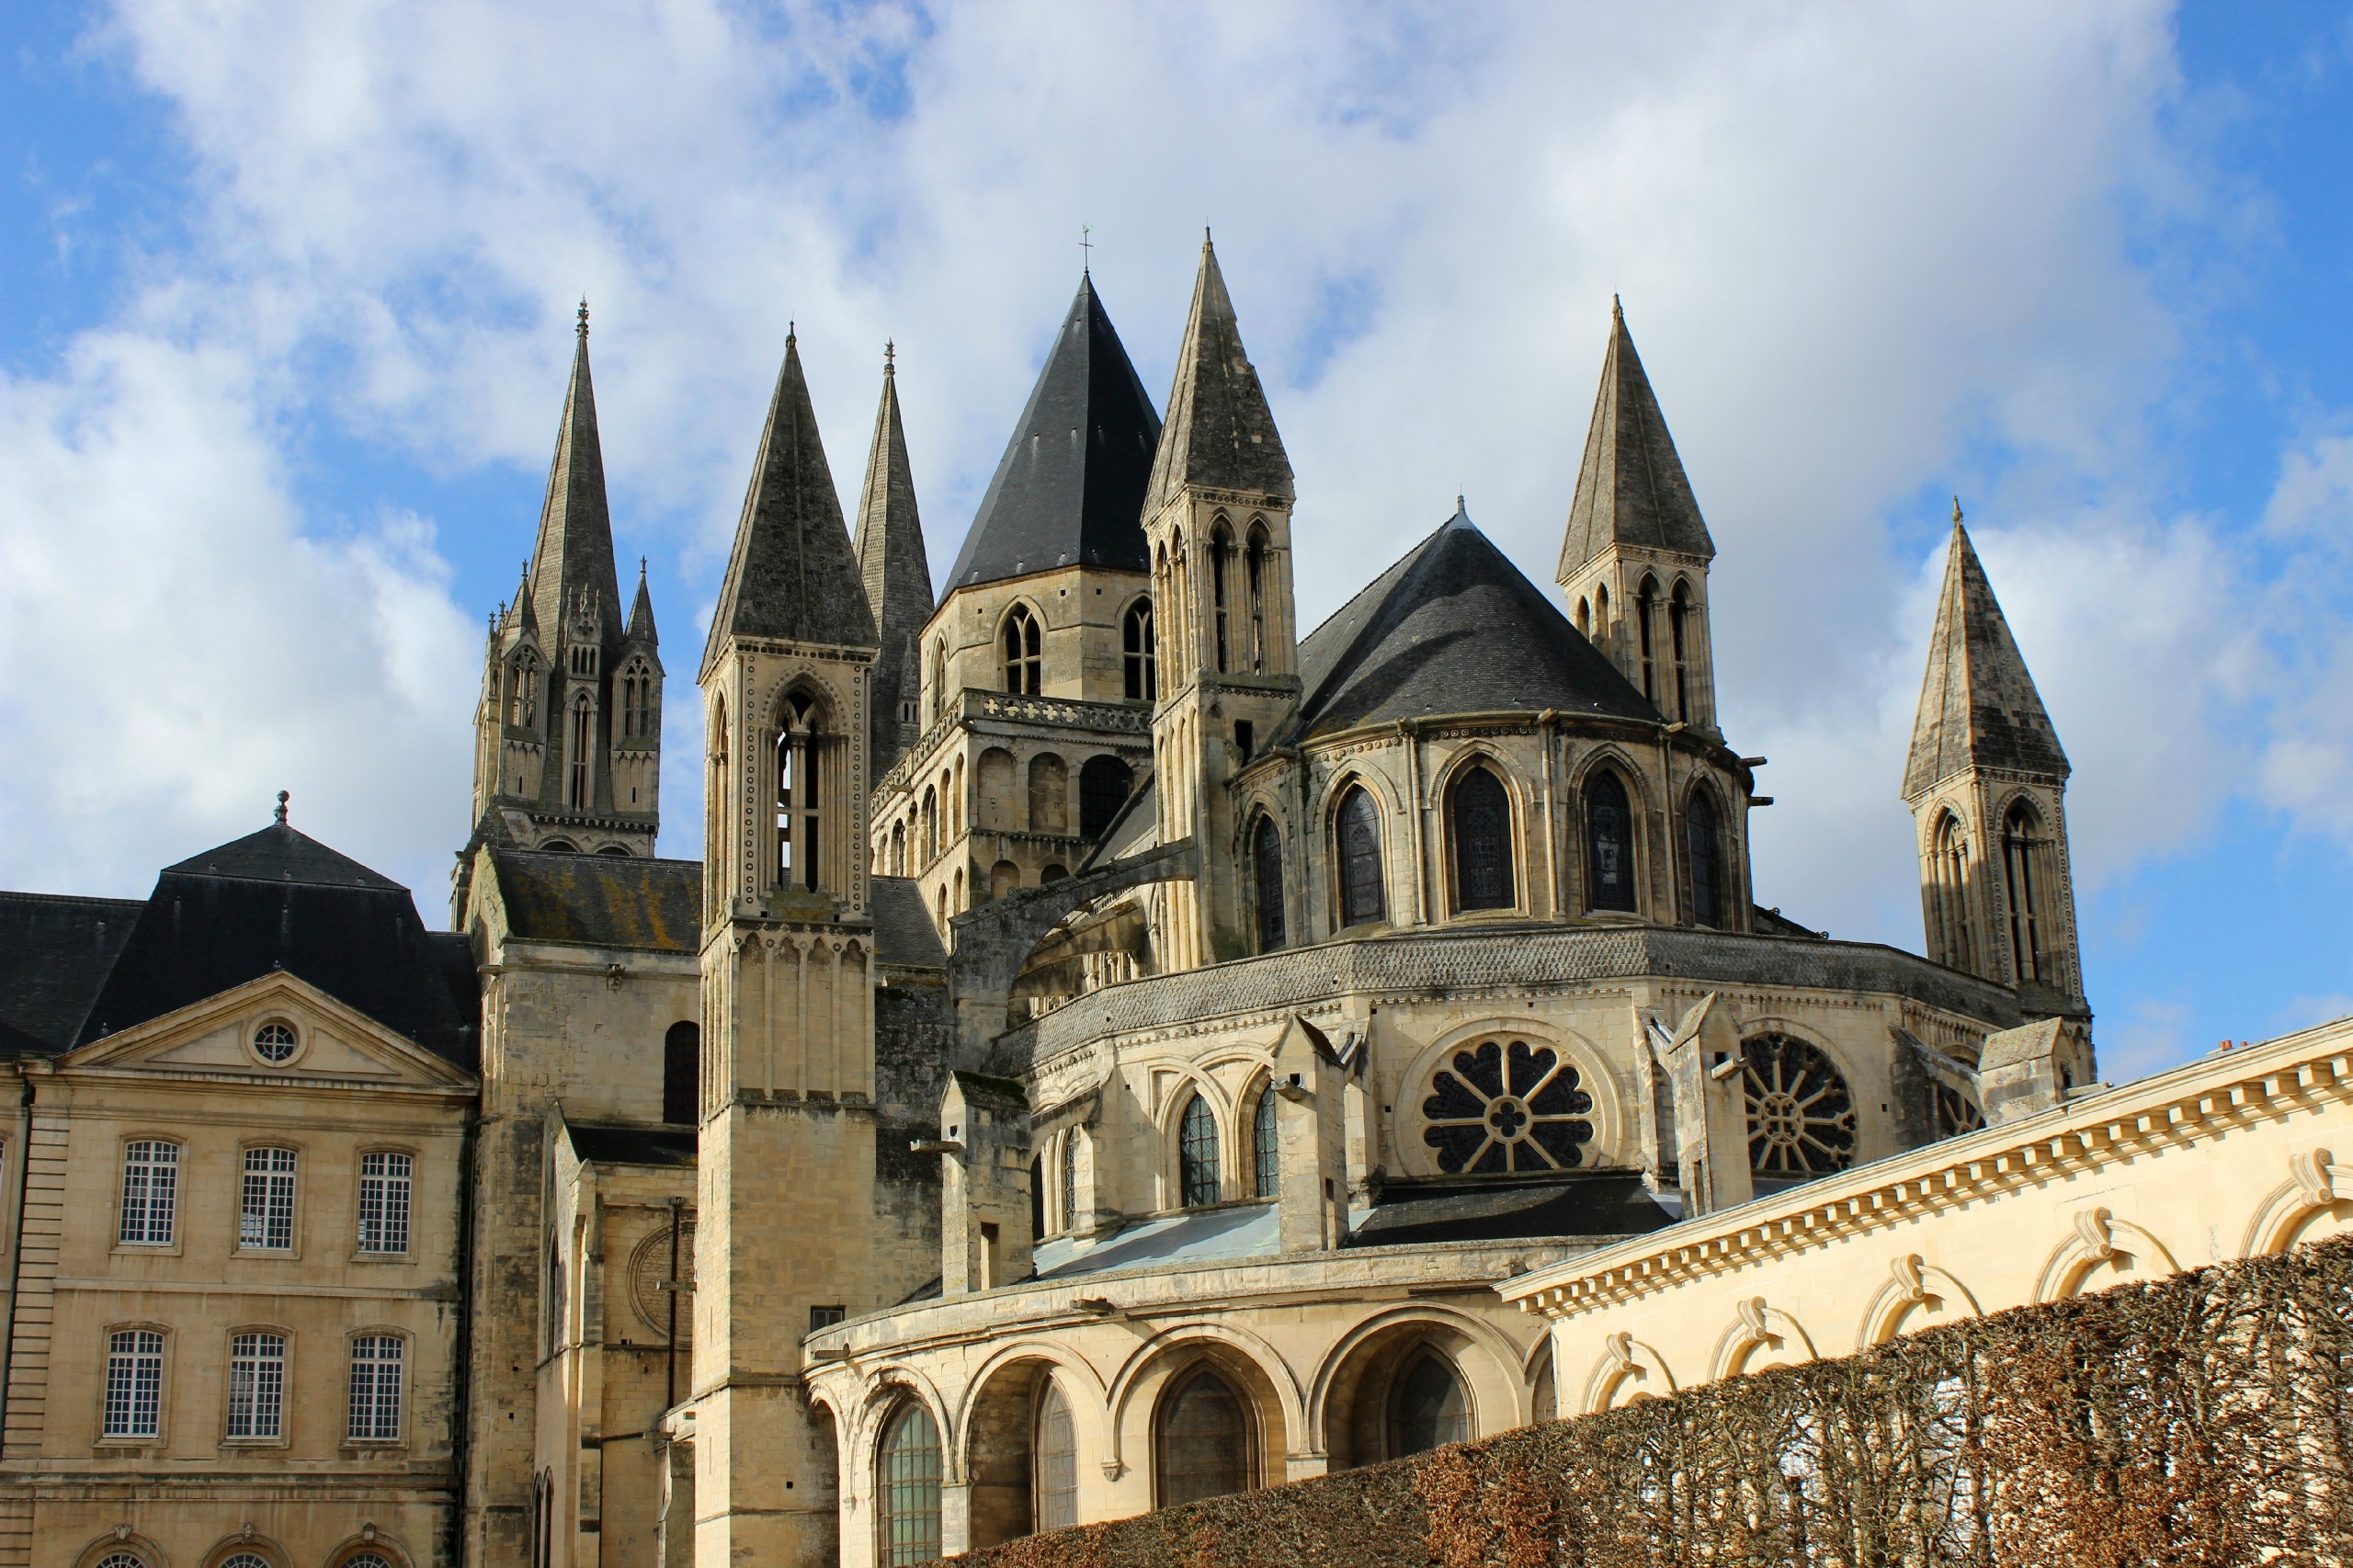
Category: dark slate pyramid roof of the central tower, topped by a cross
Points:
column 1069, row 489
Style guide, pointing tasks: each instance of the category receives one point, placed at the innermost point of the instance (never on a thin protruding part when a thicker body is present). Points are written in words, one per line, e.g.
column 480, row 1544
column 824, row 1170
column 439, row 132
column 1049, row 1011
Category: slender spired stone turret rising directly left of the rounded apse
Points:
column 1218, row 514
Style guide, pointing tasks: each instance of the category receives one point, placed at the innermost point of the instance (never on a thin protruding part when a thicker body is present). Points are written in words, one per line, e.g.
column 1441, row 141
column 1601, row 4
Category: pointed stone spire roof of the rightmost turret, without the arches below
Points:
column 1978, row 703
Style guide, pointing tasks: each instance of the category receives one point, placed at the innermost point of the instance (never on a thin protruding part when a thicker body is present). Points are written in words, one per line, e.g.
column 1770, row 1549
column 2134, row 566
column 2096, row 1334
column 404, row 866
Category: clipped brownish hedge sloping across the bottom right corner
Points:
column 2199, row 1421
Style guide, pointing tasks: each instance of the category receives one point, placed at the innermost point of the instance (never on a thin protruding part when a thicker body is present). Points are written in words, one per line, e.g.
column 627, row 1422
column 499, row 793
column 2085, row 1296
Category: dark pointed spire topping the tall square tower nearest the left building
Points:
column 792, row 573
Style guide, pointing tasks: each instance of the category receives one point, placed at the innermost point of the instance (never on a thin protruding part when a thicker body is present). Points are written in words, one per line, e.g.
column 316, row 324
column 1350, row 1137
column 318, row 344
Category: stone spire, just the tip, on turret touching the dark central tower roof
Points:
column 1220, row 430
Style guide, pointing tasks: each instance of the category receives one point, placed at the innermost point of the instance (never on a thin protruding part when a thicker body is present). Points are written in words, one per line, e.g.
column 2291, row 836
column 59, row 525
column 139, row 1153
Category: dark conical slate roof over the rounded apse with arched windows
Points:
column 1455, row 627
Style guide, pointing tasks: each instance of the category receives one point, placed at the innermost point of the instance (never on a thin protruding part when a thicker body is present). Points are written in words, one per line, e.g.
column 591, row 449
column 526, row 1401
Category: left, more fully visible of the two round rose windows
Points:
column 1507, row 1108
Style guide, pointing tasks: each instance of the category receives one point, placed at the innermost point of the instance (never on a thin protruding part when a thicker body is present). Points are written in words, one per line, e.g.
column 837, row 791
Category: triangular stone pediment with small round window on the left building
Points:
column 333, row 1044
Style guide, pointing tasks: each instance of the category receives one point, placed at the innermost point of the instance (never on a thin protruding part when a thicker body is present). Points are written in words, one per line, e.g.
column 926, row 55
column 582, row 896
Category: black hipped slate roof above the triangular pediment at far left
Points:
column 281, row 901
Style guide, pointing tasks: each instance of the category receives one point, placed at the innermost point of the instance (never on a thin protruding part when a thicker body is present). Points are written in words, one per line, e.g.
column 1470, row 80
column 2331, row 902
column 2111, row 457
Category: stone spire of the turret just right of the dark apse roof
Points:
column 1632, row 486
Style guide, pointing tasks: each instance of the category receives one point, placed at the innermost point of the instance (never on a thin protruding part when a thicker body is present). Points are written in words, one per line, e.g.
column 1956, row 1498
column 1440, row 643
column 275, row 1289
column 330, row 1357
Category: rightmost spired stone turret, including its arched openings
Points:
column 1987, row 790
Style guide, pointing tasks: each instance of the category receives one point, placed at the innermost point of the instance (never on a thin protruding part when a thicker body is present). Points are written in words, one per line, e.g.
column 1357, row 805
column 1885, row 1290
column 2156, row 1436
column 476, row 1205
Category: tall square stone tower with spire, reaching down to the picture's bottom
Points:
column 787, row 1148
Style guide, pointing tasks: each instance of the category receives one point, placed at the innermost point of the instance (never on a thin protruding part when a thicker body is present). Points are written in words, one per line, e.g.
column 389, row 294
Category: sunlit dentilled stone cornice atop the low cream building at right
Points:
column 2187, row 1105
